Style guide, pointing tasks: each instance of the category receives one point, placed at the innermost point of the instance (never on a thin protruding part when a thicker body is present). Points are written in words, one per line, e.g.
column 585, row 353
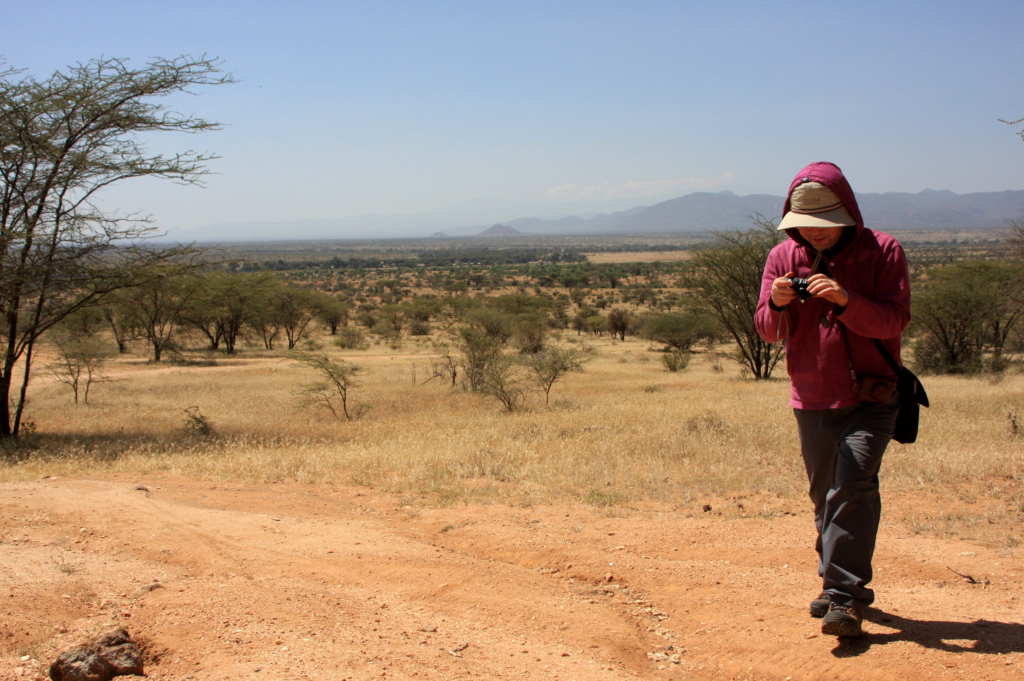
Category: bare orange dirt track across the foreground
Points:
column 300, row 582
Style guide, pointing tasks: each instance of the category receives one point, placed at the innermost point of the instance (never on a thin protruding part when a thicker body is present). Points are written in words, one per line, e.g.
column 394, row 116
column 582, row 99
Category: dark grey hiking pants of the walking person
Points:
column 842, row 450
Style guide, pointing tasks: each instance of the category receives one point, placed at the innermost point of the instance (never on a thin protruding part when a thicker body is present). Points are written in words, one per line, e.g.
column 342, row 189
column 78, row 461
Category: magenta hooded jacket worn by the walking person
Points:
column 873, row 269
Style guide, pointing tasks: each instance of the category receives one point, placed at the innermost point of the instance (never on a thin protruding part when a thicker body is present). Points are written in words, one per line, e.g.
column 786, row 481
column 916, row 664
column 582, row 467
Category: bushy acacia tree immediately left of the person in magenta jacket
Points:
column 727, row 281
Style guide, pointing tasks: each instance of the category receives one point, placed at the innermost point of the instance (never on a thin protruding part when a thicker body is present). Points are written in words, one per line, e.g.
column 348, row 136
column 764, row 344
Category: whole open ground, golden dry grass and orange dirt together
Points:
column 642, row 524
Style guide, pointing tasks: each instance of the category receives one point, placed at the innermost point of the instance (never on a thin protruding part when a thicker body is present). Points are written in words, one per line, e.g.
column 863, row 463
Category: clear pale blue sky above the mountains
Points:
column 346, row 109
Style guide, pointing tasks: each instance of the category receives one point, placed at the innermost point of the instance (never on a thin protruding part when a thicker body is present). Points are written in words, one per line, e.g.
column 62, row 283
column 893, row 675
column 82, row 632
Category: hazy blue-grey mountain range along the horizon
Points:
column 696, row 212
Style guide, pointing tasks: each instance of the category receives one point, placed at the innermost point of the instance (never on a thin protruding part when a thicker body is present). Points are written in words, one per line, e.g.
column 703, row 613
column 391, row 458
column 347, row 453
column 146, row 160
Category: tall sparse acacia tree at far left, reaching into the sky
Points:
column 63, row 141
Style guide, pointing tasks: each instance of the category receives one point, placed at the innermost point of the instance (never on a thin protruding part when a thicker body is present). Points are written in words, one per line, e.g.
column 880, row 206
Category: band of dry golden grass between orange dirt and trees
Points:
column 623, row 433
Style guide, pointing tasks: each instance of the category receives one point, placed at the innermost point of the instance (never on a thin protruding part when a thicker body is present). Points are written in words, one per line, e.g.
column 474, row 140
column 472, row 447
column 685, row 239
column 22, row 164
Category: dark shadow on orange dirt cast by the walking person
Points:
column 980, row 636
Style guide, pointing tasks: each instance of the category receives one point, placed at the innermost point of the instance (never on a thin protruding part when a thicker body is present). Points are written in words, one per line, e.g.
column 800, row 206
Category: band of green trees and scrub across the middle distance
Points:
column 967, row 314
